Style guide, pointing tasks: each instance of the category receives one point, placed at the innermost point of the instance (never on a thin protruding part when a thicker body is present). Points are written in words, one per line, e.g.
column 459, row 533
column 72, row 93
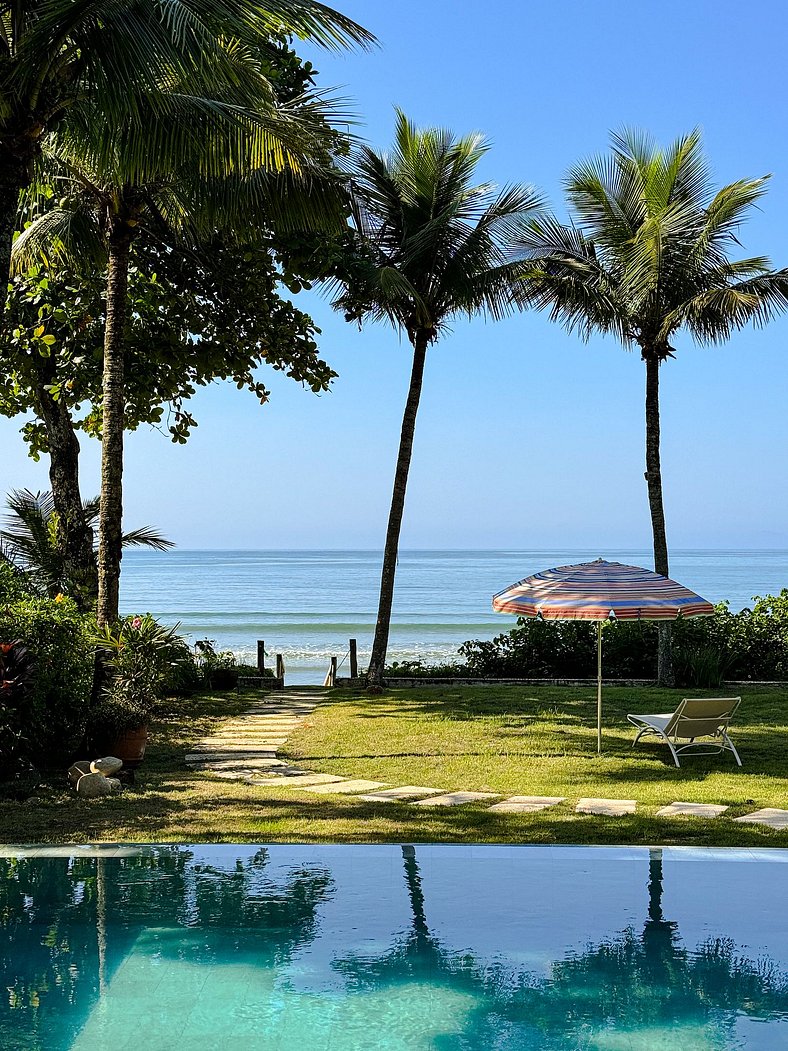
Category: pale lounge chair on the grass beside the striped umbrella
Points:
column 696, row 717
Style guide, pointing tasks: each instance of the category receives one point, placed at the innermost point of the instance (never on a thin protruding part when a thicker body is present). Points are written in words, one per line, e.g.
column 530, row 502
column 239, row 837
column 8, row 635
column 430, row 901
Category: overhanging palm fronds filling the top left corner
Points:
column 57, row 54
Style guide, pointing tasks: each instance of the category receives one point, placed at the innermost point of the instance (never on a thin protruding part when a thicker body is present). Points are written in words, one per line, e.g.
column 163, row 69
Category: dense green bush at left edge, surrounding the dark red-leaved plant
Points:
column 55, row 632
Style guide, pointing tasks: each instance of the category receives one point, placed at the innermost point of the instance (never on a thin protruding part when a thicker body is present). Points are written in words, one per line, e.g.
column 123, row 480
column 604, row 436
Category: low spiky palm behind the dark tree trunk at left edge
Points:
column 30, row 542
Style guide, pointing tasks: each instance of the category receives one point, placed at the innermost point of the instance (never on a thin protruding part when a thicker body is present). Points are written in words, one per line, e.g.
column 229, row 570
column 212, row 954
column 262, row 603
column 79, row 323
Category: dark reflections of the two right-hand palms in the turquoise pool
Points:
column 629, row 982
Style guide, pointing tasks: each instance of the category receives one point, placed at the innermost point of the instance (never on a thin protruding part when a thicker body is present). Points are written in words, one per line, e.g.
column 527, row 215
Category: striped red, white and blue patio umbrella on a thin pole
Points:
column 600, row 591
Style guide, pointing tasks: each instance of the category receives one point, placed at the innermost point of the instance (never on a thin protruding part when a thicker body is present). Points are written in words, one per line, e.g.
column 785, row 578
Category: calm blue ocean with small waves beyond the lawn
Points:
column 307, row 605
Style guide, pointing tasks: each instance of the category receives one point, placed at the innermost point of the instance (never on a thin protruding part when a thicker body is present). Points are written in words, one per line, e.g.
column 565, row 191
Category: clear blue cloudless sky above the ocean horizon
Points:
column 527, row 437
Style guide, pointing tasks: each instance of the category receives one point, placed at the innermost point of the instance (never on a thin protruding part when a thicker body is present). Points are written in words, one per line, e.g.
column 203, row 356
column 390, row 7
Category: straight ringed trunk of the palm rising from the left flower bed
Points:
column 111, row 514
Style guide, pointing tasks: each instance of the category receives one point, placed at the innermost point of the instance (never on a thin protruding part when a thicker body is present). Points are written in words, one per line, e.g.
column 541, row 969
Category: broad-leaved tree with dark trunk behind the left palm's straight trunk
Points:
column 195, row 317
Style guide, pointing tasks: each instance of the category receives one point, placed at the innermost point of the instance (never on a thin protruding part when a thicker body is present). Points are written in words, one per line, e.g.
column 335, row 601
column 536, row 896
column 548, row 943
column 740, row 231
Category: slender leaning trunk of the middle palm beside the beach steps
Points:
column 381, row 643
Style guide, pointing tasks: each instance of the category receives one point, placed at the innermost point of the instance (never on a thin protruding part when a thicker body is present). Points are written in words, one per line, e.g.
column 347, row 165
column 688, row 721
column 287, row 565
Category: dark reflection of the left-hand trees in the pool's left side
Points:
column 67, row 924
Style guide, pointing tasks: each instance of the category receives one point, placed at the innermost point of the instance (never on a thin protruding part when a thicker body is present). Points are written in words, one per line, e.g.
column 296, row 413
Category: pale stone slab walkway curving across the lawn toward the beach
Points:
column 246, row 748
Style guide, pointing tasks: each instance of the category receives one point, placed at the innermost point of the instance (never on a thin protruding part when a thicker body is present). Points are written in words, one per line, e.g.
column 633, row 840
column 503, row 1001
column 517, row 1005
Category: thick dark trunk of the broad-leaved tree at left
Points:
column 76, row 537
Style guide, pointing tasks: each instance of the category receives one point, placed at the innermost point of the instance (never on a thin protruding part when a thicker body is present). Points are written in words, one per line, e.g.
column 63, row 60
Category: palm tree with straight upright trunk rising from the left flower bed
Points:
column 271, row 169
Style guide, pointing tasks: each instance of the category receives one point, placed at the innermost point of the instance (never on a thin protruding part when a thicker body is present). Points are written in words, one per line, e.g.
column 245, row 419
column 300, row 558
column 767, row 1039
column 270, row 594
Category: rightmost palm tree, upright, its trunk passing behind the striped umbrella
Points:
column 648, row 255
